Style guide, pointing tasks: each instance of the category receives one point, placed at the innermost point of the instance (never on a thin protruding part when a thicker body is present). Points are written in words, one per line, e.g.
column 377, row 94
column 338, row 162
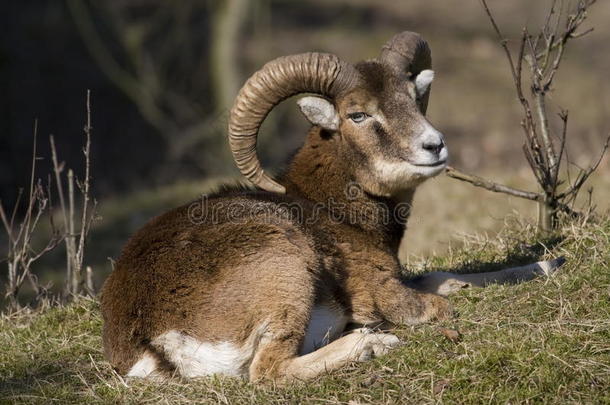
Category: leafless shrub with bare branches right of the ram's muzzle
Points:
column 544, row 150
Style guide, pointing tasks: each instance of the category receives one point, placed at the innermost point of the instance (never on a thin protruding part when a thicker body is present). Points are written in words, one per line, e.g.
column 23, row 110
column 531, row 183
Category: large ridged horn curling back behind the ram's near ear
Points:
column 320, row 73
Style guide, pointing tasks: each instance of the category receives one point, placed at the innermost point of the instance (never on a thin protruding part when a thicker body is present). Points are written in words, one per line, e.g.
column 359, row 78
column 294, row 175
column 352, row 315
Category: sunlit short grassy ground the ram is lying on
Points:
column 546, row 341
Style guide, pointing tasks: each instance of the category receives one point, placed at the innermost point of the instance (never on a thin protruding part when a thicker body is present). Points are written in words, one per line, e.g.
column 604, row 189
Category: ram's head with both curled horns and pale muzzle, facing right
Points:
column 375, row 109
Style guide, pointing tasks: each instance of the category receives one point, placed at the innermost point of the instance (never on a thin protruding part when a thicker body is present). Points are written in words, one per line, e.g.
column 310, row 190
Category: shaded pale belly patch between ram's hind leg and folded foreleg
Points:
column 324, row 326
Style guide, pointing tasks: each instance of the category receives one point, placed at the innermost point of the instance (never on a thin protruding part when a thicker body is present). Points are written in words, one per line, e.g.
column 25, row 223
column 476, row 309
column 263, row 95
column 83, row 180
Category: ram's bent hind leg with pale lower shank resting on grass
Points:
column 287, row 288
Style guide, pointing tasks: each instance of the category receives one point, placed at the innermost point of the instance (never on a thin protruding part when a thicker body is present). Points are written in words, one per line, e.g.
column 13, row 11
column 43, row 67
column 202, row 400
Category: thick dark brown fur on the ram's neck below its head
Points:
column 320, row 173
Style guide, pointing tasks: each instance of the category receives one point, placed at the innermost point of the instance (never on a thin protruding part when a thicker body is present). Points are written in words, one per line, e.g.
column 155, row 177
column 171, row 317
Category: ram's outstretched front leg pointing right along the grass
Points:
column 445, row 283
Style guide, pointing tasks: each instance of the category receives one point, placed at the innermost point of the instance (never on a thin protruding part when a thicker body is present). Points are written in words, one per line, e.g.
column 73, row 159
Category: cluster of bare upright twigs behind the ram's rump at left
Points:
column 23, row 229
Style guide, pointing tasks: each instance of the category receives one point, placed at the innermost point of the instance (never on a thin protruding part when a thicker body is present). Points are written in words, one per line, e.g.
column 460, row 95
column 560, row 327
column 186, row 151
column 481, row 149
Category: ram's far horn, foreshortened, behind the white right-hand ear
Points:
column 408, row 54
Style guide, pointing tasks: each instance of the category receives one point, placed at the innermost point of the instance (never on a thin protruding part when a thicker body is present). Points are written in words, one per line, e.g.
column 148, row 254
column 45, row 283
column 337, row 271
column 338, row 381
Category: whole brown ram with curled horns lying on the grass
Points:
column 265, row 284
